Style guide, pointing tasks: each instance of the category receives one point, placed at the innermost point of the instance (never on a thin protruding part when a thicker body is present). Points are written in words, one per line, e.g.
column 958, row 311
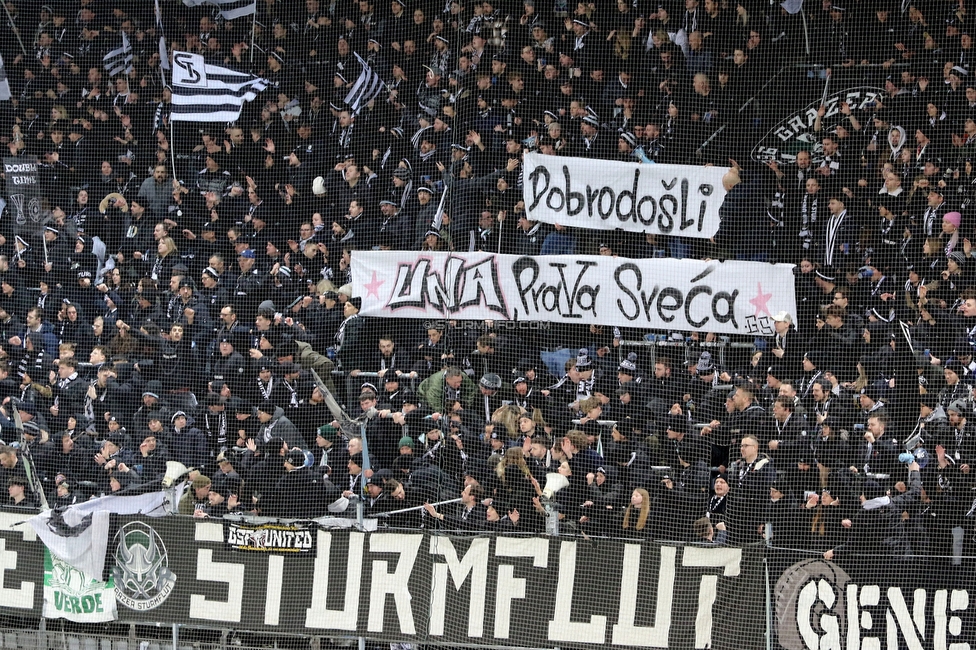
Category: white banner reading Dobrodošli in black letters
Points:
column 678, row 200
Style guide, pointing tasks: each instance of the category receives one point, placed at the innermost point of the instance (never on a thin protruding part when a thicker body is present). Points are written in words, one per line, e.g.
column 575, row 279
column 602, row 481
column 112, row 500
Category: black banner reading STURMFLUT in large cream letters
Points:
column 418, row 588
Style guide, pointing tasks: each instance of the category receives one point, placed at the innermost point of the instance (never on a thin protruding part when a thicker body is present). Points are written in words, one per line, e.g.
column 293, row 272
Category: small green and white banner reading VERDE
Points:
column 71, row 594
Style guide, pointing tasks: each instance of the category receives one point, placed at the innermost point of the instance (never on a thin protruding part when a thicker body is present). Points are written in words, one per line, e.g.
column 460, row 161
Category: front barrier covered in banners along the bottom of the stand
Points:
column 489, row 590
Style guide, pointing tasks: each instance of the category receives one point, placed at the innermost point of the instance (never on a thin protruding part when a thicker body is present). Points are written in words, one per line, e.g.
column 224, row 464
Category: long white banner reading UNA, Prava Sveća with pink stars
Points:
column 668, row 294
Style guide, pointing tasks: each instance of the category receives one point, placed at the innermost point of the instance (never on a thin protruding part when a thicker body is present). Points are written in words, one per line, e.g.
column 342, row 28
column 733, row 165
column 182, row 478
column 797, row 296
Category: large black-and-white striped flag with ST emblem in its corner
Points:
column 207, row 92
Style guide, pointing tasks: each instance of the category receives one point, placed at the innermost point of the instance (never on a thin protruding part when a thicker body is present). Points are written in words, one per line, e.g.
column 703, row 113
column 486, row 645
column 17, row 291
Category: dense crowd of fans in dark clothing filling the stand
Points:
column 188, row 277
